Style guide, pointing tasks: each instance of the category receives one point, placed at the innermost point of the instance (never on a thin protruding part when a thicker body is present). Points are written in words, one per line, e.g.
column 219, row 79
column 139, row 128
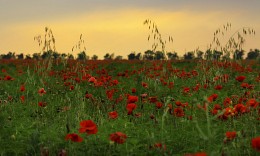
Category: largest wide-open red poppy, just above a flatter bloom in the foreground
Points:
column 88, row 126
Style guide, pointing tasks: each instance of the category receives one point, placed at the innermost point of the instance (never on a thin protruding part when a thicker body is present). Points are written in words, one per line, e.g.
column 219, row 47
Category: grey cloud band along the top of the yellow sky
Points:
column 26, row 10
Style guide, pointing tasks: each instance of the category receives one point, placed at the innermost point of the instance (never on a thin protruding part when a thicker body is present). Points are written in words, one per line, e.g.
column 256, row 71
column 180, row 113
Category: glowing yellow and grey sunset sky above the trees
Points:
column 116, row 26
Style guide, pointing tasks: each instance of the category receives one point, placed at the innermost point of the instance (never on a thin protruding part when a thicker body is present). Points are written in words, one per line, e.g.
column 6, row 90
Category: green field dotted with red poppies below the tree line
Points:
column 70, row 107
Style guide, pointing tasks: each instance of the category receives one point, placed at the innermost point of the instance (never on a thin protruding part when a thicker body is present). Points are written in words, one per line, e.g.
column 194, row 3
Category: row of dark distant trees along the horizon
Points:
column 147, row 55
